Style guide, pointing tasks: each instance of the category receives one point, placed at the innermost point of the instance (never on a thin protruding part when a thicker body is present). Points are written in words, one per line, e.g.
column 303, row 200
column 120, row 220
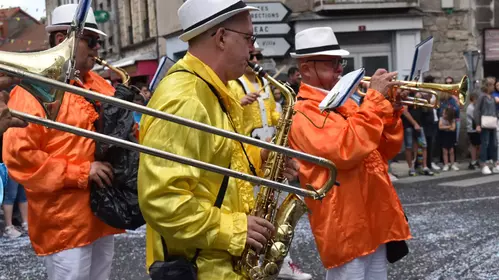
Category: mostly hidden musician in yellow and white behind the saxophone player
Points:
column 260, row 114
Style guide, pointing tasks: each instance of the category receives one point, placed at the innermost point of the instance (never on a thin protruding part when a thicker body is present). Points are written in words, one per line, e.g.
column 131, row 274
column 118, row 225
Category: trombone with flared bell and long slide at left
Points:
column 42, row 74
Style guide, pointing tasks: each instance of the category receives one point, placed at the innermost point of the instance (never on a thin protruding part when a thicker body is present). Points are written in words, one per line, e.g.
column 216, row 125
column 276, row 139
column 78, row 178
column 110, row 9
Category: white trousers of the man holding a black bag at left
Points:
column 91, row 262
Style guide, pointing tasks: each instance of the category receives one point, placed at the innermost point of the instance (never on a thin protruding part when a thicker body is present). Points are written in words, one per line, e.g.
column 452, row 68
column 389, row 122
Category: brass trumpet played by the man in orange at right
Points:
column 459, row 90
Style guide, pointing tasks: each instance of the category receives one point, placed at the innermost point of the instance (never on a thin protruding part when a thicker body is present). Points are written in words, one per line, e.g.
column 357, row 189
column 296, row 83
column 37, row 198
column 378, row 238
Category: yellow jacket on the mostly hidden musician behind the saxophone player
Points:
column 254, row 112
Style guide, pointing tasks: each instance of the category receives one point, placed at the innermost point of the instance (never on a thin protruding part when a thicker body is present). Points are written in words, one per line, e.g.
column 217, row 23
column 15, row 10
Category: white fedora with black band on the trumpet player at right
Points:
column 317, row 41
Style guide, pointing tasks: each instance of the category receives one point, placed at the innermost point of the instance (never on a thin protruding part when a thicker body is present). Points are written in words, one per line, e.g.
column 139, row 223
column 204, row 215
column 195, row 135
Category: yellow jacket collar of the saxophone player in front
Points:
column 194, row 64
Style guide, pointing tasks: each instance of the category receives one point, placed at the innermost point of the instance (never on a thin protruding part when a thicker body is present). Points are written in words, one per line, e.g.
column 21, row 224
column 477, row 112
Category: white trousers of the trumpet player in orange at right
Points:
column 370, row 267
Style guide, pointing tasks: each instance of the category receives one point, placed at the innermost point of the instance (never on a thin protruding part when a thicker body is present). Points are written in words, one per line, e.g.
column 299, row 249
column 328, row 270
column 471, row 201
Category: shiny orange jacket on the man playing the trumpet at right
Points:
column 364, row 211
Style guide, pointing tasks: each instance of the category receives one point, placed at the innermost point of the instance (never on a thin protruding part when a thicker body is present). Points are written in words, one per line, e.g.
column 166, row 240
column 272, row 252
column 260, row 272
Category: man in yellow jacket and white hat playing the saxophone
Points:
column 177, row 200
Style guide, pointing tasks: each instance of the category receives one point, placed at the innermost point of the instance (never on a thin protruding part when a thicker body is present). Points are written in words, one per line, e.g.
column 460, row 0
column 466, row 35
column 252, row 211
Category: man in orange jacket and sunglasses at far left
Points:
column 57, row 168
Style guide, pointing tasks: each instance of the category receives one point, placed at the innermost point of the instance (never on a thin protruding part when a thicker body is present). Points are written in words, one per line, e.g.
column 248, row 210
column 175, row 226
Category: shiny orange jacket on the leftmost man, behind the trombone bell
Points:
column 53, row 166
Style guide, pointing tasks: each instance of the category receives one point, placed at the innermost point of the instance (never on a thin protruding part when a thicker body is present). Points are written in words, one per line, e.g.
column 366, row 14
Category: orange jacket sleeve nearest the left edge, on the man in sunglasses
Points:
column 26, row 160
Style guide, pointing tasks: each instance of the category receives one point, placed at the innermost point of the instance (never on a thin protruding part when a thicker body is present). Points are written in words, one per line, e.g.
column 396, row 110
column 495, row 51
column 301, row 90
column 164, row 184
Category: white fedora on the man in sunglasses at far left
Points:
column 62, row 17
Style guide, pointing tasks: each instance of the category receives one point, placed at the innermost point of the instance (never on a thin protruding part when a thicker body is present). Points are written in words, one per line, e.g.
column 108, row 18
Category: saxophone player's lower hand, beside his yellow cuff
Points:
column 259, row 231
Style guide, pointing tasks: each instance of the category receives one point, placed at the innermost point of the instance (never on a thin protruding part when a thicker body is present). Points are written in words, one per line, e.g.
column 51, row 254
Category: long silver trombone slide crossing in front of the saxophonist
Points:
column 178, row 120
